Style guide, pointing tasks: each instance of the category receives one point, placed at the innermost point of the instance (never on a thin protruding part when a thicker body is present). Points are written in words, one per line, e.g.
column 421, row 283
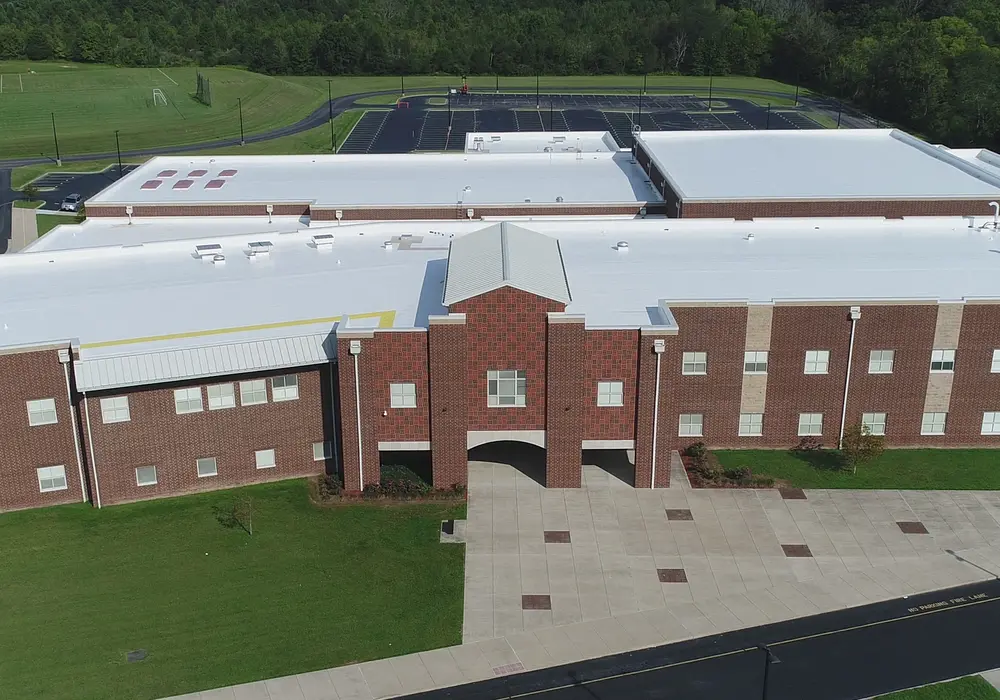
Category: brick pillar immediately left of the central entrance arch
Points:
column 448, row 374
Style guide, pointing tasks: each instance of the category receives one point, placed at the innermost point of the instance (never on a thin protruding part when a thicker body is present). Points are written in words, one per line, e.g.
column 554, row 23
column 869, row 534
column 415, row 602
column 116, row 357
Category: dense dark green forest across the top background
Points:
column 931, row 65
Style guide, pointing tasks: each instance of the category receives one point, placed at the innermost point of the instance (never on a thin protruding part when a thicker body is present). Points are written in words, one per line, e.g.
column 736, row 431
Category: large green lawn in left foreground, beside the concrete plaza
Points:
column 312, row 588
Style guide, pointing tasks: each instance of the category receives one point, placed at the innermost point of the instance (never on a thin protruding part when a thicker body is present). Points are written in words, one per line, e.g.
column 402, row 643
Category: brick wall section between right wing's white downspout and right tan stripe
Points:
column 909, row 332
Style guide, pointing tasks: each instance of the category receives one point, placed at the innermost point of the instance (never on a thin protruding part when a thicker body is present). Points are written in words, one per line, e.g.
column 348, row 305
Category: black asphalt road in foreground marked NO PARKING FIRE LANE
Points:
column 856, row 653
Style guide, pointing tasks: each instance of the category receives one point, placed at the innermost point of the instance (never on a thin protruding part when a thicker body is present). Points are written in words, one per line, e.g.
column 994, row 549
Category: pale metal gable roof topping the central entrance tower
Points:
column 505, row 255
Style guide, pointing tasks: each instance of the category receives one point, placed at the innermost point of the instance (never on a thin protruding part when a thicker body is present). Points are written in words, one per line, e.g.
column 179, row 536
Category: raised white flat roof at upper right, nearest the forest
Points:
column 812, row 164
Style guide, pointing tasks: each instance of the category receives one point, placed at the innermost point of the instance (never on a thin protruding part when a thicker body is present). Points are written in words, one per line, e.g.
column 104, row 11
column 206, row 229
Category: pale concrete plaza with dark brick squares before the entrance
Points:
column 641, row 568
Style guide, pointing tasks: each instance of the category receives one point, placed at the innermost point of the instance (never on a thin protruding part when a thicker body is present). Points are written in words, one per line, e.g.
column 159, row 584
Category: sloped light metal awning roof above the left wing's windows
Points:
column 213, row 360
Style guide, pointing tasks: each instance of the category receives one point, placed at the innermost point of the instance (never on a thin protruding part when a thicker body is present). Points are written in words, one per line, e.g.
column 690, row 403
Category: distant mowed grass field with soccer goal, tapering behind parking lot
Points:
column 90, row 101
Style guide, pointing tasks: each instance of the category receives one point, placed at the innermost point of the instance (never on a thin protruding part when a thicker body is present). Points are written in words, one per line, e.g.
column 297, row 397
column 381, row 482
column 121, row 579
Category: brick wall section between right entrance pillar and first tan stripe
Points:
column 721, row 332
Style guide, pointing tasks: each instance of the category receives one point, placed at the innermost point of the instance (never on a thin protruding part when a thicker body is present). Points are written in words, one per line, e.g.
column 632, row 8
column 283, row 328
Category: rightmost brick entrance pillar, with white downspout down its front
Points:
column 645, row 396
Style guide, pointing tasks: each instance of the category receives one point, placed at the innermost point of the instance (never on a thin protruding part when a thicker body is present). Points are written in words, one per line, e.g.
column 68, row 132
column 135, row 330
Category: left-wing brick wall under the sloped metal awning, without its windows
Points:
column 157, row 436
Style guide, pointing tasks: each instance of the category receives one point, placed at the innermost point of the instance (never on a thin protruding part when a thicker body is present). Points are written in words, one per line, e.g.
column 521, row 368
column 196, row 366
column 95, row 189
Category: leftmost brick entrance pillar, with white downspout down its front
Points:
column 352, row 464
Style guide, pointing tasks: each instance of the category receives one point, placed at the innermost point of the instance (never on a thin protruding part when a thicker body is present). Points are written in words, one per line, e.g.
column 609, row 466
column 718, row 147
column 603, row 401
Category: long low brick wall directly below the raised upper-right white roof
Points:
column 804, row 208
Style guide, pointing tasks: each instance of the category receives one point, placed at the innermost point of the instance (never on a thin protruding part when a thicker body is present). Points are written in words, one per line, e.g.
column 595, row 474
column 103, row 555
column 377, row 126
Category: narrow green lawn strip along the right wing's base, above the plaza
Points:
column 895, row 469
